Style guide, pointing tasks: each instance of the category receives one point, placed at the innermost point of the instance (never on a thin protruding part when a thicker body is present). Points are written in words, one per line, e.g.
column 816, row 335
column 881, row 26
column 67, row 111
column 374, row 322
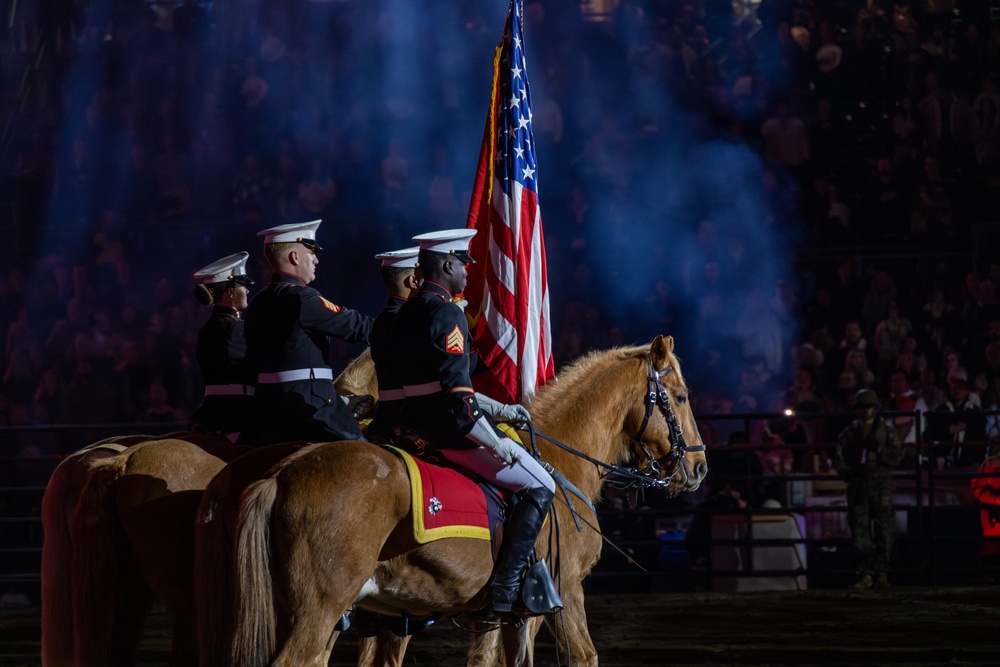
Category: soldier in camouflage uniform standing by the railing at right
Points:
column 866, row 452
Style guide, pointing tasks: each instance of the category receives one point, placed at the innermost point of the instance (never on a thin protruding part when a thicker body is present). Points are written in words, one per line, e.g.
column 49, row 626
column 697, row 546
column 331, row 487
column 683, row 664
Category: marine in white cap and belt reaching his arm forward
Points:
column 288, row 330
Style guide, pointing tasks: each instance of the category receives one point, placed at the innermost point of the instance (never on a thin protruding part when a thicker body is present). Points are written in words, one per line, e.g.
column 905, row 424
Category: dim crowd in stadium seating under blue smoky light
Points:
column 878, row 125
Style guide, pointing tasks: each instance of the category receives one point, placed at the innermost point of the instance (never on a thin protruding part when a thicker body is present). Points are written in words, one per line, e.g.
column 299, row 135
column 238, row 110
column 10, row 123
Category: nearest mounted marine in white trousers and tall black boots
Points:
column 432, row 344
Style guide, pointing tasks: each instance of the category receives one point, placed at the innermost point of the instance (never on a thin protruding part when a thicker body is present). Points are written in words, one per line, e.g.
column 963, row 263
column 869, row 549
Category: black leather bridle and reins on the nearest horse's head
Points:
column 649, row 474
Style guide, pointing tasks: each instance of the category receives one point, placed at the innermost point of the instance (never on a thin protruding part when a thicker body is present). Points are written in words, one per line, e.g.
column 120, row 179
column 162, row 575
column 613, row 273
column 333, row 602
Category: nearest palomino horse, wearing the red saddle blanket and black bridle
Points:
column 331, row 525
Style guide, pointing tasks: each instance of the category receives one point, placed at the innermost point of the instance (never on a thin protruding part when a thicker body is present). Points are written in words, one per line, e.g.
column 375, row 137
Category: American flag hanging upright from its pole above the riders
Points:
column 508, row 286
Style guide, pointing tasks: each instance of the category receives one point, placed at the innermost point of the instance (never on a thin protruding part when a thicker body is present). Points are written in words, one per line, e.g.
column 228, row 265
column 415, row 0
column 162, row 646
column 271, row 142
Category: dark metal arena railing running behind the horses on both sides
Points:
column 754, row 525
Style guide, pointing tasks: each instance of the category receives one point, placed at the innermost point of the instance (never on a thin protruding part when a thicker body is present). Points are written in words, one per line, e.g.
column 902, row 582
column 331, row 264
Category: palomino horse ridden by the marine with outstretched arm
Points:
column 134, row 538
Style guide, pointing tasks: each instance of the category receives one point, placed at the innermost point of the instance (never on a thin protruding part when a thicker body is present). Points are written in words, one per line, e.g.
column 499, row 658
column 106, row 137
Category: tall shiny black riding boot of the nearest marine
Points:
column 520, row 532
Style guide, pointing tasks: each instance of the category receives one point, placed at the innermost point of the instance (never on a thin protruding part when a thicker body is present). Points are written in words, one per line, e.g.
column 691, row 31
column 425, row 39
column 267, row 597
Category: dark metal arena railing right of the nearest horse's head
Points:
column 788, row 528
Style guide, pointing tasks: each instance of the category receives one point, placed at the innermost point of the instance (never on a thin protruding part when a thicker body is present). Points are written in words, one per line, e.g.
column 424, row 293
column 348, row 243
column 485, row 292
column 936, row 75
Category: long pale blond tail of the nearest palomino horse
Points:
column 255, row 633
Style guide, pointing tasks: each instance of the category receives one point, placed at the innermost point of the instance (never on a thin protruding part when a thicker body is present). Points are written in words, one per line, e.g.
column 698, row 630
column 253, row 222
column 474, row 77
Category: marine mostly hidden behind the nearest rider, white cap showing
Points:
column 398, row 271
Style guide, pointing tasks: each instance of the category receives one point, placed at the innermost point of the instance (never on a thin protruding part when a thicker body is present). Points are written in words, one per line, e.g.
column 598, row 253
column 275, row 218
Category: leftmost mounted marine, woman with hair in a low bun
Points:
column 222, row 349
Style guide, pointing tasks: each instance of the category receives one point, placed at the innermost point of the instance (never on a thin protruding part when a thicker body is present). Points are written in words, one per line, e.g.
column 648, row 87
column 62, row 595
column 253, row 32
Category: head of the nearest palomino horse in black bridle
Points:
column 663, row 433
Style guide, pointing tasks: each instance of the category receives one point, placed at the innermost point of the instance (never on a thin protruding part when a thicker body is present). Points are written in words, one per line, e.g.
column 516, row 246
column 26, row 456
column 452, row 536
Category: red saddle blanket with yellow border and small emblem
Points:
column 446, row 503
